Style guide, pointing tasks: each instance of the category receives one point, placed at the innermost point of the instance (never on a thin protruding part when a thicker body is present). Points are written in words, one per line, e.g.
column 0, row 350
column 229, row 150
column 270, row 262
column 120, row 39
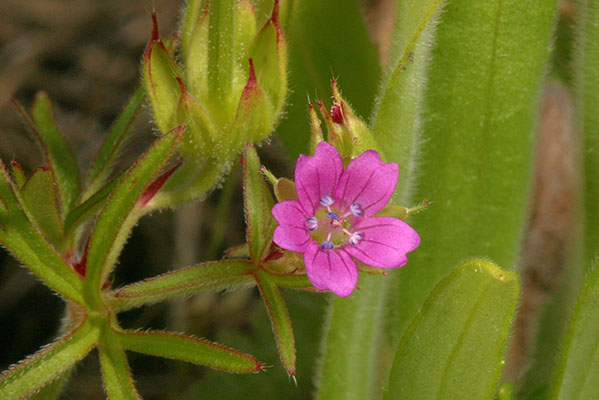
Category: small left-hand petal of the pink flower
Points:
column 291, row 234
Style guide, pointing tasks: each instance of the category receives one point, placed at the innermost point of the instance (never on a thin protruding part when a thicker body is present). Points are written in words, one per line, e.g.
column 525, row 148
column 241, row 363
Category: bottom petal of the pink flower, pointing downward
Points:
column 332, row 270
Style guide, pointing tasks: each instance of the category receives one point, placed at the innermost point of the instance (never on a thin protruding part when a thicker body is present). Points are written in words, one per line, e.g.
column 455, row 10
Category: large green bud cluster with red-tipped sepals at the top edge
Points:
column 231, row 85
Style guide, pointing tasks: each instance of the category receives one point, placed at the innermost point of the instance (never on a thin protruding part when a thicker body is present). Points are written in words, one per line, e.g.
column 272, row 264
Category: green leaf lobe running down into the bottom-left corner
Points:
column 46, row 365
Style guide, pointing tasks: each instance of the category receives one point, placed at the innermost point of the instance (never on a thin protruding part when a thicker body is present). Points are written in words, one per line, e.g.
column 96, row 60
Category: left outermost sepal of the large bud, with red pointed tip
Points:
column 160, row 73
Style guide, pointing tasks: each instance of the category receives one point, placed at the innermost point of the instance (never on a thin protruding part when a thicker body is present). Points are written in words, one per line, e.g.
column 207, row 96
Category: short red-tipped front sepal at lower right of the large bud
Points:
column 254, row 113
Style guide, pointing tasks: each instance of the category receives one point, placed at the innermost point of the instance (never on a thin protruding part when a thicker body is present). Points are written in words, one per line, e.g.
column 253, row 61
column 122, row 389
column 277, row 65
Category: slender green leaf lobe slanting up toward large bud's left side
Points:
column 114, row 143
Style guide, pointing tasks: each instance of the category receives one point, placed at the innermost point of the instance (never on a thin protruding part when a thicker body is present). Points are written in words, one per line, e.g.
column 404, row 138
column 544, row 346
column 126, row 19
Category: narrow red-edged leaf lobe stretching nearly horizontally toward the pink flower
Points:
column 217, row 275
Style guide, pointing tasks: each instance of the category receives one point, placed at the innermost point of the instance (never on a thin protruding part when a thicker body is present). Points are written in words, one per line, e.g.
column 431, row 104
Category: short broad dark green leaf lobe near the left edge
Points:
column 39, row 197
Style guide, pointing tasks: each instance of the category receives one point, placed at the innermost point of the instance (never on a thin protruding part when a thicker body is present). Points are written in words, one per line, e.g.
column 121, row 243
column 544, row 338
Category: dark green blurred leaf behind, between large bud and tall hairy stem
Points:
column 326, row 39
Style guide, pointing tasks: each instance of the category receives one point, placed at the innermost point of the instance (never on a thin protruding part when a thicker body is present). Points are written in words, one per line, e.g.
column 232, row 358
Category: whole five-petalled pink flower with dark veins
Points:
column 332, row 222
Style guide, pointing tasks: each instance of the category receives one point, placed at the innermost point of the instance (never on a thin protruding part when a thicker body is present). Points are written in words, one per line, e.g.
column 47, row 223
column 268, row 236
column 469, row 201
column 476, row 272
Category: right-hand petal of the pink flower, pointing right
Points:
column 384, row 243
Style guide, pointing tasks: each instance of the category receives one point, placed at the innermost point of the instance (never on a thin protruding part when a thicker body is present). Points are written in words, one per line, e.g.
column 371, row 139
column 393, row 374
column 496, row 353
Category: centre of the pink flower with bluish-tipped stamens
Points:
column 331, row 227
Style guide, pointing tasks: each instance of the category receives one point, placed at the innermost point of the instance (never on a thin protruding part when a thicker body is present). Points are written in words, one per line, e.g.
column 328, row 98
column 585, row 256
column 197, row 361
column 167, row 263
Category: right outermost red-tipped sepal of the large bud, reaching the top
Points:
column 270, row 59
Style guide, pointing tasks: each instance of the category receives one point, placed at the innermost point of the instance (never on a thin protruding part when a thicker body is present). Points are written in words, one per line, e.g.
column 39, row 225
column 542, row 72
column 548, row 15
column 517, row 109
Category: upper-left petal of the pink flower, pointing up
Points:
column 317, row 176
